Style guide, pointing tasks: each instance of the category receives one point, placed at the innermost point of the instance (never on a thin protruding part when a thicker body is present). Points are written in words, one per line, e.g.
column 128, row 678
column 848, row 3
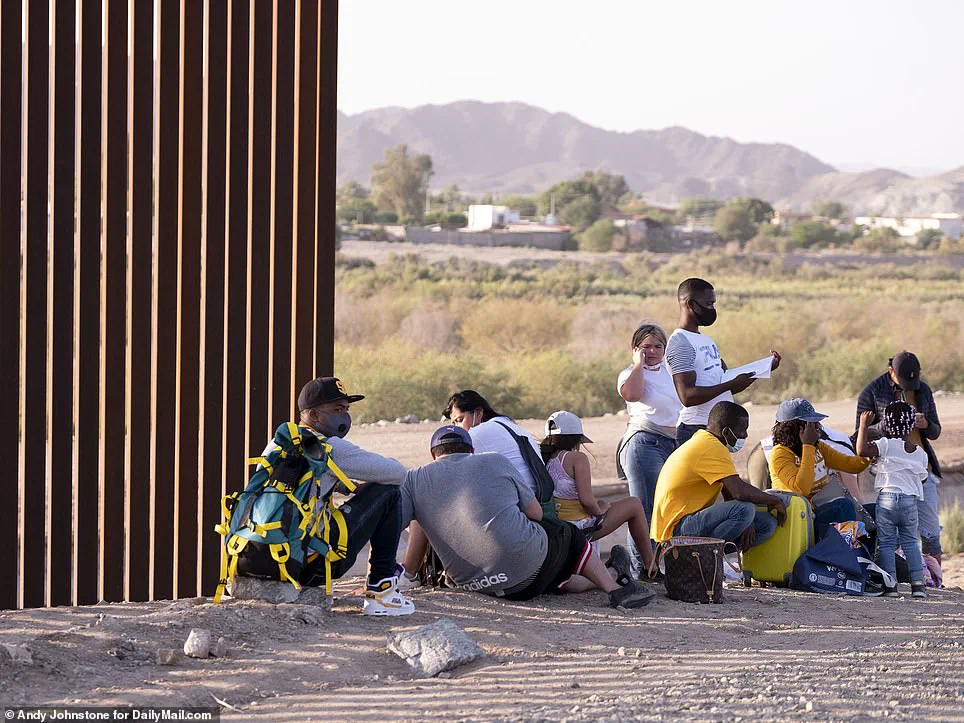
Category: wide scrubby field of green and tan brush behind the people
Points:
column 535, row 339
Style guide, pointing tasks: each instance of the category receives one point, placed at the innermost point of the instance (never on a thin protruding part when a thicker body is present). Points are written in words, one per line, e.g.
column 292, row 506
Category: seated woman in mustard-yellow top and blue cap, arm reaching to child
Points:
column 801, row 463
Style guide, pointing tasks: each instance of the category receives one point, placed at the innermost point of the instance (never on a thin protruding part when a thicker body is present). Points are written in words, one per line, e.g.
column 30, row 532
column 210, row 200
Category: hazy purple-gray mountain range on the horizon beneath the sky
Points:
column 503, row 148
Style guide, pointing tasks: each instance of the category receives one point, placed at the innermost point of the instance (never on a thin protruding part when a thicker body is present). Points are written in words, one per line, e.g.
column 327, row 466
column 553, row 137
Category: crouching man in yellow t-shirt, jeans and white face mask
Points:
column 697, row 472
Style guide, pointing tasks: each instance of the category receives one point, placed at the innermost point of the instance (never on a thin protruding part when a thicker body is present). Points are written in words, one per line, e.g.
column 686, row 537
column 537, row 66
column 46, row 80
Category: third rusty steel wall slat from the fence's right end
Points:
column 281, row 286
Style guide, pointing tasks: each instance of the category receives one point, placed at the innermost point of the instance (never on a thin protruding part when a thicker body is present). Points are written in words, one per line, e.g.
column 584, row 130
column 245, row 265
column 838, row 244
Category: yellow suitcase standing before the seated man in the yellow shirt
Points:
column 773, row 560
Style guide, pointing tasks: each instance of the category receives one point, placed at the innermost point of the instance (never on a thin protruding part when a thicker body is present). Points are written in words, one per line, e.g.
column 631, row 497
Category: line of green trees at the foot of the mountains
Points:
column 399, row 193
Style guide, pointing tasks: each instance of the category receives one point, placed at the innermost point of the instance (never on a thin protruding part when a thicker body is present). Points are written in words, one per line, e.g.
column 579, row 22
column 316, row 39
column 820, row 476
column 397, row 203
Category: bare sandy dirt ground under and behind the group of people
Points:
column 765, row 653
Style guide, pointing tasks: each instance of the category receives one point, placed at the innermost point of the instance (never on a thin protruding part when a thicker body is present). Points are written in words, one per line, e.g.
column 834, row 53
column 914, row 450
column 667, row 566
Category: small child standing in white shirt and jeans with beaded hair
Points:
column 901, row 470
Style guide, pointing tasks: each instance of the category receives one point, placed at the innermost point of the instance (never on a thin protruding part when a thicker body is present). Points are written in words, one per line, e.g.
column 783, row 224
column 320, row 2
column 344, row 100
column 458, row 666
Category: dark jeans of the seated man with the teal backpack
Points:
column 372, row 515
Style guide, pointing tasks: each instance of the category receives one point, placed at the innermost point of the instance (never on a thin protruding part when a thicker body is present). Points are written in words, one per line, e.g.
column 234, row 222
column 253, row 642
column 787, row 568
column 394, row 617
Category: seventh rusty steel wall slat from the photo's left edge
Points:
column 165, row 300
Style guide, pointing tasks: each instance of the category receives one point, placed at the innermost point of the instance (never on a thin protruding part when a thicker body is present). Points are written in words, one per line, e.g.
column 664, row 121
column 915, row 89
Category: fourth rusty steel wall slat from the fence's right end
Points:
column 259, row 227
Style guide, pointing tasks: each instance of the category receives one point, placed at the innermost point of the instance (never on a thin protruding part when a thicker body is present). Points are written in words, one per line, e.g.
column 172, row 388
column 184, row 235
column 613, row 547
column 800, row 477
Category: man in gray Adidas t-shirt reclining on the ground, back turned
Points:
column 486, row 527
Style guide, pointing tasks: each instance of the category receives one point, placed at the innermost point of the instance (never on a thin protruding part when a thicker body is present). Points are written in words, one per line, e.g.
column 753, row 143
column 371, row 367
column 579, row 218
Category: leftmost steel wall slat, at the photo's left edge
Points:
column 11, row 87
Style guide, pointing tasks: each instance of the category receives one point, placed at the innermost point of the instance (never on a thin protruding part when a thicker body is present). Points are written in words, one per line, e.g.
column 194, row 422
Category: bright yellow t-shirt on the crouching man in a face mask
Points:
column 689, row 481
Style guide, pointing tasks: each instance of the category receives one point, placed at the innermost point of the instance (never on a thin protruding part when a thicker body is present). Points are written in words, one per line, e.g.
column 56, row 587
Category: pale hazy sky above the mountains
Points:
column 857, row 83
